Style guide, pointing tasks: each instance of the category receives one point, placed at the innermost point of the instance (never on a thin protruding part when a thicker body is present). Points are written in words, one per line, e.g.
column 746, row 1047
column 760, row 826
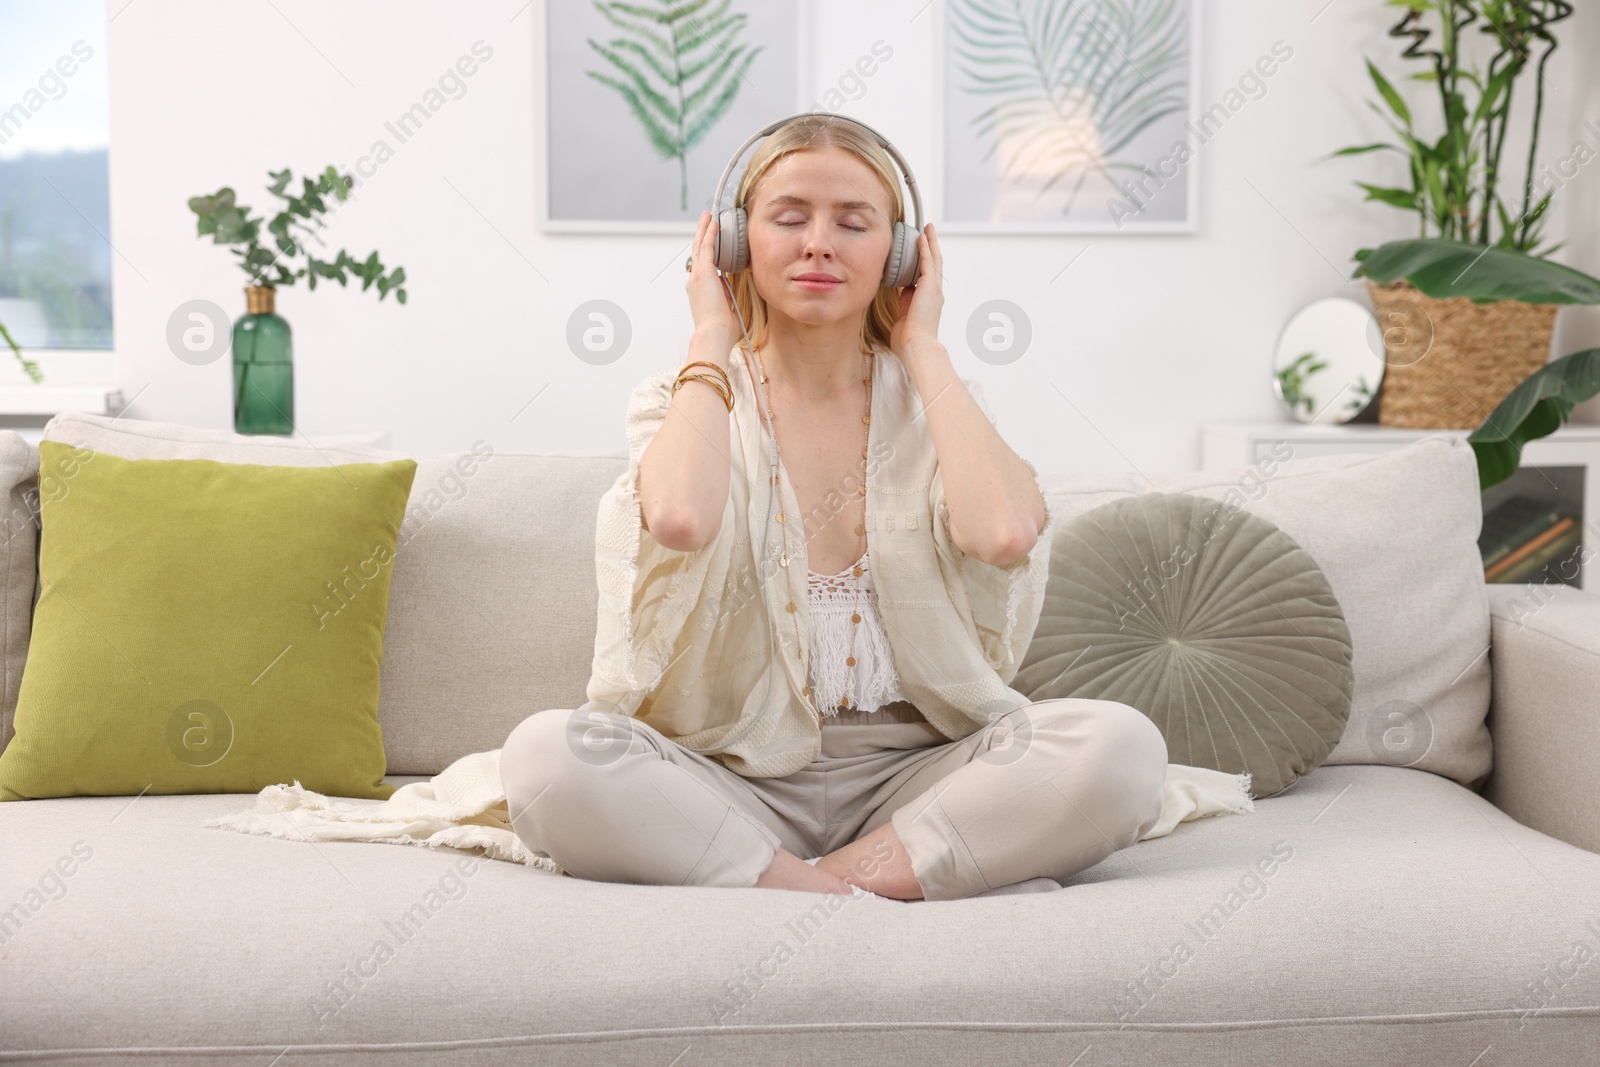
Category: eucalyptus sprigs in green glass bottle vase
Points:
column 263, row 359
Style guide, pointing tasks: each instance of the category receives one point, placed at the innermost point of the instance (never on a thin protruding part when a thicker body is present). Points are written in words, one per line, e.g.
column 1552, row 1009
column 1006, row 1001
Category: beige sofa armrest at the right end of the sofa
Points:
column 1545, row 711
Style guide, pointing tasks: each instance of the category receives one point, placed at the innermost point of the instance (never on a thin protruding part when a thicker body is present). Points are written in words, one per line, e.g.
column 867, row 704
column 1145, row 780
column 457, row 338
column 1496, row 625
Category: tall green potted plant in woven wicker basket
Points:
column 1474, row 292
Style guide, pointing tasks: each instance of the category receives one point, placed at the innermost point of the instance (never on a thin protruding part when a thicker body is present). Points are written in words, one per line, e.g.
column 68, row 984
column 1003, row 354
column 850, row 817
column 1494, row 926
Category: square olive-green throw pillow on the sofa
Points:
column 206, row 628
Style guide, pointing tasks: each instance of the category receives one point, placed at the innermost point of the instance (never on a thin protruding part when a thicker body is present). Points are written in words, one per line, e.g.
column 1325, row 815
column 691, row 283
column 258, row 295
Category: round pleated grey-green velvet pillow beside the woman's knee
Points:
column 1209, row 620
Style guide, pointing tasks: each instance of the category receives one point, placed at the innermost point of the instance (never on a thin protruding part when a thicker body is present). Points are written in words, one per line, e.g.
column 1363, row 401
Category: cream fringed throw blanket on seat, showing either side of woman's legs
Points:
column 465, row 807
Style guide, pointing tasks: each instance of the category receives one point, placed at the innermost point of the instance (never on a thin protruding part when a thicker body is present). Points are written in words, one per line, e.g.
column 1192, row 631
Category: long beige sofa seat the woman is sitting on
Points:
column 1372, row 913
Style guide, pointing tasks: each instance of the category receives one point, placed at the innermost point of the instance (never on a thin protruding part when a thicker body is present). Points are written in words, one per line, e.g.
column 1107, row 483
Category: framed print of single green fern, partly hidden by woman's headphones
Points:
column 647, row 100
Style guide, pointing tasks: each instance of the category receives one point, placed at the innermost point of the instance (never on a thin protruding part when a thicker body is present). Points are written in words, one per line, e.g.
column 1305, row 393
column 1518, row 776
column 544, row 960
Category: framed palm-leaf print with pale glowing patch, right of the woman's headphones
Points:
column 1068, row 116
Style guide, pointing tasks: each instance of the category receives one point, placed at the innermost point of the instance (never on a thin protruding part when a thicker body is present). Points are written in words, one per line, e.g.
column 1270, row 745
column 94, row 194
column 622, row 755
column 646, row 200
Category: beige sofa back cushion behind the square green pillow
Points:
column 492, row 604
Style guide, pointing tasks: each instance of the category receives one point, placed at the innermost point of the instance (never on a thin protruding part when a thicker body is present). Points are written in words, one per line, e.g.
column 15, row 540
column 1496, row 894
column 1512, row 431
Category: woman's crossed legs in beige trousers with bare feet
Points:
column 1046, row 791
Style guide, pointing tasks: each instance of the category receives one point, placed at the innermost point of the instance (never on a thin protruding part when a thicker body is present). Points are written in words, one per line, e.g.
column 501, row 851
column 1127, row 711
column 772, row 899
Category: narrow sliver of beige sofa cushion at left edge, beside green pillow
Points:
column 18, row 569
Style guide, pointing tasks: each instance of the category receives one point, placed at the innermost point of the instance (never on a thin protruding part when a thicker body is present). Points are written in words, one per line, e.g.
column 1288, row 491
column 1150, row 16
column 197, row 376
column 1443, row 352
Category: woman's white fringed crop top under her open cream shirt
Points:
column 833, row 602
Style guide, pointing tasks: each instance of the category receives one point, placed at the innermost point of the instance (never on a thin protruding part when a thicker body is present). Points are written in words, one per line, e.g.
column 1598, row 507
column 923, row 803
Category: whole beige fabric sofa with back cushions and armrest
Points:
column 1431, row 895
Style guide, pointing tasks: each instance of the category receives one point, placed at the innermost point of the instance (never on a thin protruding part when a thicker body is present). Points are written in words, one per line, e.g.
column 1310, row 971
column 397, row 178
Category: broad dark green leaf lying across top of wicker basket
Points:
column 1484, row 274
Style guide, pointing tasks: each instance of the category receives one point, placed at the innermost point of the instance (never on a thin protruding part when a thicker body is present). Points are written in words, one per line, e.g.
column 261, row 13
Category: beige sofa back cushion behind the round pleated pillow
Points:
column 1396, row 537
